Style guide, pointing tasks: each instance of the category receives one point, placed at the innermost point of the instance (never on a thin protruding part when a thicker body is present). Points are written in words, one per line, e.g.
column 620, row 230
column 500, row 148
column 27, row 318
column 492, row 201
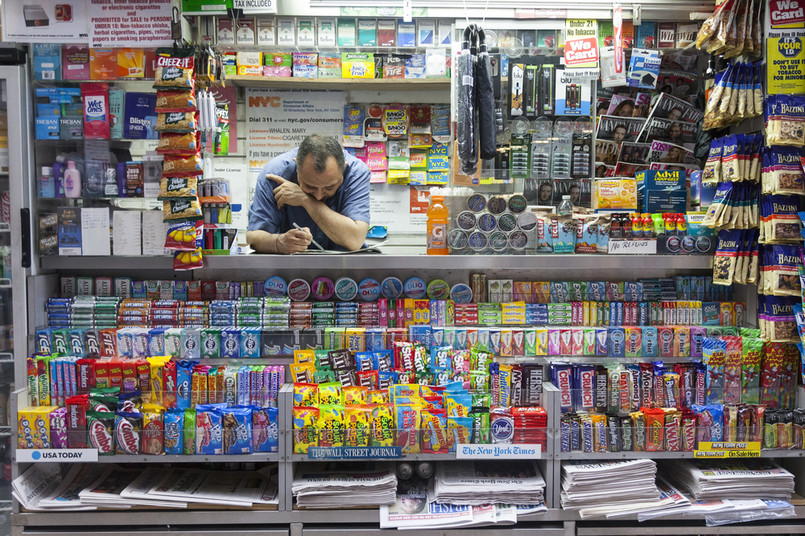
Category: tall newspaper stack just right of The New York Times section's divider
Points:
column 589, row 487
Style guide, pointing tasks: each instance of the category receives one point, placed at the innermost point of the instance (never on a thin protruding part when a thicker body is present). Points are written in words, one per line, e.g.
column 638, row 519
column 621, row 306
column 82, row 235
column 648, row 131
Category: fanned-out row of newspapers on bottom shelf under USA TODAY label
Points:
column 45, row 487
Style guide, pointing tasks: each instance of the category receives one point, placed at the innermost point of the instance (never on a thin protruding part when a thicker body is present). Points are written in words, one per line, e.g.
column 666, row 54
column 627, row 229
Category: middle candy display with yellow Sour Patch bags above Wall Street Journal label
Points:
column 423, row 402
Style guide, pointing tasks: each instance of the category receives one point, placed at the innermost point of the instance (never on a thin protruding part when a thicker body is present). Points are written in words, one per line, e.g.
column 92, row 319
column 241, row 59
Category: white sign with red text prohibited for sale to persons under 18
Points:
column 133, row 23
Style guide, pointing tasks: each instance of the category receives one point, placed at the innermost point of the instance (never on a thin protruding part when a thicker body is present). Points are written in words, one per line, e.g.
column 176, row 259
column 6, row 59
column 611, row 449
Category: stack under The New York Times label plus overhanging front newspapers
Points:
column 467, row 494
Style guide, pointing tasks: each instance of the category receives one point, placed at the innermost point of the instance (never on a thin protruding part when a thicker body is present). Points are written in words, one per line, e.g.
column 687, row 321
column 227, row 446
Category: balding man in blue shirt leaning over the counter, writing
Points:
column 319, row 187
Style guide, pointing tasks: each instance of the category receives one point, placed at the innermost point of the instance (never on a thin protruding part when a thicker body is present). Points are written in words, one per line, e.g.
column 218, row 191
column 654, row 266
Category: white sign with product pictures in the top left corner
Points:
column 45, row 21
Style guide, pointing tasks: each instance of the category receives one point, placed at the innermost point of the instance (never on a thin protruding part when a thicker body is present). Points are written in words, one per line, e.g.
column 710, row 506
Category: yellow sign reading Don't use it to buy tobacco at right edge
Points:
column 785, row 71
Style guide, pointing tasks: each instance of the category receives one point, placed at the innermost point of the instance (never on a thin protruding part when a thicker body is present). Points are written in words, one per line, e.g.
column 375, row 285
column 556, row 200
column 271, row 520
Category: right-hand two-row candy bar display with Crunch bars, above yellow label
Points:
column 741, row 391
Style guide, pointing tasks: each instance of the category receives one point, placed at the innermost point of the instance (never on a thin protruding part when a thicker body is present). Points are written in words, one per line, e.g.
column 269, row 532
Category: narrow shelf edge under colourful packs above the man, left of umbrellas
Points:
column 340, row 83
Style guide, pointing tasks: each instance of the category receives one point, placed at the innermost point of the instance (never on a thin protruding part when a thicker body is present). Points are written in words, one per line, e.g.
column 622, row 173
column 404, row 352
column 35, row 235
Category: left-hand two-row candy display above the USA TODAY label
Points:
column 150, row 406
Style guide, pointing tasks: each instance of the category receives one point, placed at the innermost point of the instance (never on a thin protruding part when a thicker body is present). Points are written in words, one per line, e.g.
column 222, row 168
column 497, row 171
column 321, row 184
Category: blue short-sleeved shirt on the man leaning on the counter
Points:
column 350, row 200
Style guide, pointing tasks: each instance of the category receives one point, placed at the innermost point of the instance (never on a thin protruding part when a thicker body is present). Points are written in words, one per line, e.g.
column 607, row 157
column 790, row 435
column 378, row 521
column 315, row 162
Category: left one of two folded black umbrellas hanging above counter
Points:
column 465, row 106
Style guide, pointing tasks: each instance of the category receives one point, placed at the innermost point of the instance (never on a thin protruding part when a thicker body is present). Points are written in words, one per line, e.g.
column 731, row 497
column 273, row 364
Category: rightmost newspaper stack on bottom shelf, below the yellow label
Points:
column 722, row 479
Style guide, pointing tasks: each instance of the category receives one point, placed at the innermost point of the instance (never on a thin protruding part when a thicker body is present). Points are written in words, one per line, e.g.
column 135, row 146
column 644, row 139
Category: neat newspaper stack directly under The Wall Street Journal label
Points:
column 338, row 486
